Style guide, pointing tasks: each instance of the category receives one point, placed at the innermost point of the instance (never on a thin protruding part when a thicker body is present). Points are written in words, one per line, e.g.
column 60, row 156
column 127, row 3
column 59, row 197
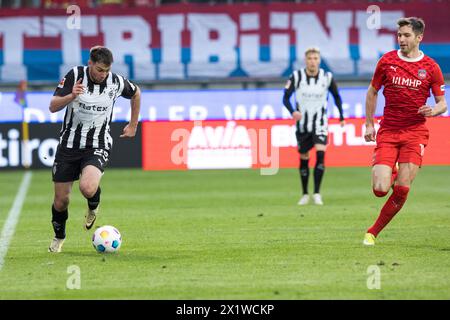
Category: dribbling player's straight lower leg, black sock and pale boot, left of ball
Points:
column 60, row 214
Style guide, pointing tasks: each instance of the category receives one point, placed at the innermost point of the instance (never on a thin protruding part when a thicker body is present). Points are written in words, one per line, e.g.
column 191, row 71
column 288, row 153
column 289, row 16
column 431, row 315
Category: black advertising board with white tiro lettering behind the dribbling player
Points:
column 44, row 139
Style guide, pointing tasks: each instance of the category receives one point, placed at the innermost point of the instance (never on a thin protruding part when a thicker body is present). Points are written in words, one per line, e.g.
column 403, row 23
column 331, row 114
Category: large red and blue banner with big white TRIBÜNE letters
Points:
column 191, row 41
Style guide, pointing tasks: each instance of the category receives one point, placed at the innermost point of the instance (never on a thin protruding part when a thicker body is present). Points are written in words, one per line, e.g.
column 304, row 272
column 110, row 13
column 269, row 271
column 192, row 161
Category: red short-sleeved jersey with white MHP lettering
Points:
column 407, row 83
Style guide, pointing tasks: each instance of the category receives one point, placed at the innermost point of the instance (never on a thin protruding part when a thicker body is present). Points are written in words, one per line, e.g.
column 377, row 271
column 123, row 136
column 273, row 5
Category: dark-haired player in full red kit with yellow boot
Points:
column 407, row 76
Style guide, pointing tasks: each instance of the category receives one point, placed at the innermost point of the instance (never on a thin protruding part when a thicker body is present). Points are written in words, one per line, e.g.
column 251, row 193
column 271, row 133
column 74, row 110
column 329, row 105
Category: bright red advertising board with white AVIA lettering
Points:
column 268, row 144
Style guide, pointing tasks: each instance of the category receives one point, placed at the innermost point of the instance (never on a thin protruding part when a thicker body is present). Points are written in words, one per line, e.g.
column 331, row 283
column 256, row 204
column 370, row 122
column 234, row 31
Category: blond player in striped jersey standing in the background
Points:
column 311, row 86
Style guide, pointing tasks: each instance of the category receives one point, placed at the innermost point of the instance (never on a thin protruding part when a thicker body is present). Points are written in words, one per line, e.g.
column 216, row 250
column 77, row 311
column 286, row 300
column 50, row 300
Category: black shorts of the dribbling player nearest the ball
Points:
column 70, row 162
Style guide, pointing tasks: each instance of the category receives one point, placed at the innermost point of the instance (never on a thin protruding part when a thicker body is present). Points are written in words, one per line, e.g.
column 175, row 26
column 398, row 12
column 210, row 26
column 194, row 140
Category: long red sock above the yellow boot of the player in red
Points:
column 390, row 209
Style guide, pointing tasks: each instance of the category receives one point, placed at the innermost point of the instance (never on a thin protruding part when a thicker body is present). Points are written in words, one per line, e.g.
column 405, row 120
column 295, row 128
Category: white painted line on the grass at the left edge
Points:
column 13, row 217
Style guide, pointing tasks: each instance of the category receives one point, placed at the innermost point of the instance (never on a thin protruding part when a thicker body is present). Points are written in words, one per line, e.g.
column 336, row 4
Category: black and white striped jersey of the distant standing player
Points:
column 311, row 95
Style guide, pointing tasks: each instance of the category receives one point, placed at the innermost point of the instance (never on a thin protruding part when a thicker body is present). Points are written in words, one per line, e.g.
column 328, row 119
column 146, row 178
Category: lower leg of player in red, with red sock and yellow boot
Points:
column 406, row 174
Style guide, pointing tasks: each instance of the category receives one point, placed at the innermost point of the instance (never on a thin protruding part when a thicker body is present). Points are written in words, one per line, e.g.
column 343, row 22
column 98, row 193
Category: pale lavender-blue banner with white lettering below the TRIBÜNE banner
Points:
column 181, row 105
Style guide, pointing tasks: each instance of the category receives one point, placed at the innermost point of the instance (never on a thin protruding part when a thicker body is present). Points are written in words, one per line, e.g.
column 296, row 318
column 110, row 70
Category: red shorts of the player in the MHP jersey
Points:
column 401, row 146
